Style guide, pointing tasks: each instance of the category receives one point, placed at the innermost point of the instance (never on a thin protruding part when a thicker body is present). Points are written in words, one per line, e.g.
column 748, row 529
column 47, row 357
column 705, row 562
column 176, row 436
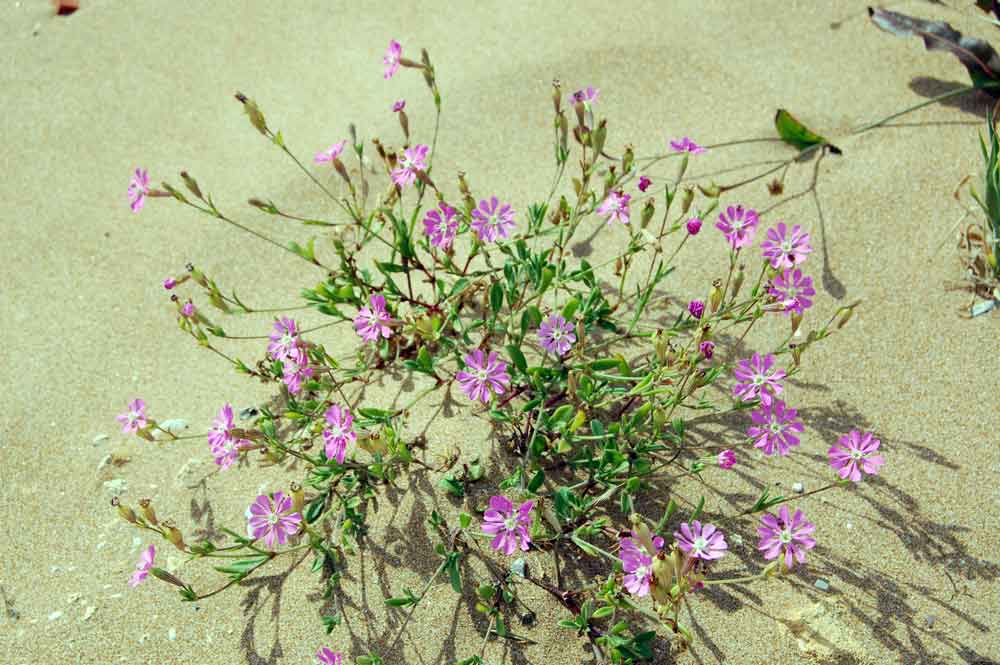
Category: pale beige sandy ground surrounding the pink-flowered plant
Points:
column 910, row 558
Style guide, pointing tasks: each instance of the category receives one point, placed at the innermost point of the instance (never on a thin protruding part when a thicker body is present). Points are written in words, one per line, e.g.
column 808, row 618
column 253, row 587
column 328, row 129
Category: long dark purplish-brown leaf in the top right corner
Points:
column 979, row 58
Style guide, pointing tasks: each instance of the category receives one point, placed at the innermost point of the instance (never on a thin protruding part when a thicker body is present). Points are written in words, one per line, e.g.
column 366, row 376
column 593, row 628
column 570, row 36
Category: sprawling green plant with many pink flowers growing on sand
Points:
column 587, row 374
